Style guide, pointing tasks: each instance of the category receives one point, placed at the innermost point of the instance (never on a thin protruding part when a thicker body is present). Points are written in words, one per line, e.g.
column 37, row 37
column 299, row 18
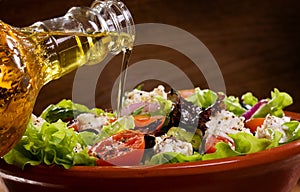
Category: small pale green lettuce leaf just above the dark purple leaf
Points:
column 203, row 98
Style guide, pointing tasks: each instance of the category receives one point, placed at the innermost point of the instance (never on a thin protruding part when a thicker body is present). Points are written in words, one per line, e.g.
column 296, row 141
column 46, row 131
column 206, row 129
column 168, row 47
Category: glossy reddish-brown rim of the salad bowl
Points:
column 287, row 151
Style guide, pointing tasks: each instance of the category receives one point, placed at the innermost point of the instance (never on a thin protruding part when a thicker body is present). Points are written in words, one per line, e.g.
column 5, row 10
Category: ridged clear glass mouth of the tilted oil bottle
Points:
column 116, row 16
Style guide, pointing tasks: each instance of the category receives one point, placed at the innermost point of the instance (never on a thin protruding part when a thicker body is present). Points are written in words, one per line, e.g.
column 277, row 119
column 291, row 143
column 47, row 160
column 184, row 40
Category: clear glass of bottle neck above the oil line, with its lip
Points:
column 109, row 16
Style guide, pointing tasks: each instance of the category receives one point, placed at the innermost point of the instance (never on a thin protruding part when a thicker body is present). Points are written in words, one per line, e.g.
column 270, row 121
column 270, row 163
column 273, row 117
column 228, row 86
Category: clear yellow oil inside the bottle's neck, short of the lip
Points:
column 66, row 52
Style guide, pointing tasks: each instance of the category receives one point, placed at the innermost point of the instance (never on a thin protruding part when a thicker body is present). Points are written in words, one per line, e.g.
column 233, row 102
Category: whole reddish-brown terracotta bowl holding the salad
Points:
column 277, row 169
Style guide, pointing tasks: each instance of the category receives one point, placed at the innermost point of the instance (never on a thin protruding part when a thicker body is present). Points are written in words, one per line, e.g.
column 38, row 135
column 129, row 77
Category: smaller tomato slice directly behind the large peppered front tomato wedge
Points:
column 149, row 124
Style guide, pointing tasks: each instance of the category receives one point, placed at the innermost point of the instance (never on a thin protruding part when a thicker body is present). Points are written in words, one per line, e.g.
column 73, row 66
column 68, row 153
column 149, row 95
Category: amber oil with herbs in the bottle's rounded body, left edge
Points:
column 19, row 85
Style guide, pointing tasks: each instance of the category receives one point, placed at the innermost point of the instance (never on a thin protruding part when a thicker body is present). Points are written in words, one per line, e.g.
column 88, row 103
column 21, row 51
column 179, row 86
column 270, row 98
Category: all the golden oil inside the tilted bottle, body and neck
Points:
column 30, row 59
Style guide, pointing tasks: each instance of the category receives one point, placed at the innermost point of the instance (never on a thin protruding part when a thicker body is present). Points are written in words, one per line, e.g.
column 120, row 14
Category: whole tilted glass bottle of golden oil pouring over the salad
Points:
column 32, row 56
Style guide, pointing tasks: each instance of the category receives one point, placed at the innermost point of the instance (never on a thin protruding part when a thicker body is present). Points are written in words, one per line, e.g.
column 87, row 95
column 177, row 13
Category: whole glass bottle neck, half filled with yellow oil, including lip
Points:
column 85, row 35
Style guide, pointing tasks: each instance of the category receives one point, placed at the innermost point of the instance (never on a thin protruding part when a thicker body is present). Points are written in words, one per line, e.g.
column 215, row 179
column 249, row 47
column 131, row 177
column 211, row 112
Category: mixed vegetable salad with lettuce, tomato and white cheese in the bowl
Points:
column 156, row 127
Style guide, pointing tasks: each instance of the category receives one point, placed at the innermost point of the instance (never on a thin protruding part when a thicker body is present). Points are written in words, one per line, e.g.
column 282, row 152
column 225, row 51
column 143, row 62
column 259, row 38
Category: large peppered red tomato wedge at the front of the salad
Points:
column 123, row 148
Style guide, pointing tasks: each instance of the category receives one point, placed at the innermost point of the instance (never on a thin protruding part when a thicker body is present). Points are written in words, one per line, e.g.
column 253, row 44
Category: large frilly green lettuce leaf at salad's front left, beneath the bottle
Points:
column 51, row 143
